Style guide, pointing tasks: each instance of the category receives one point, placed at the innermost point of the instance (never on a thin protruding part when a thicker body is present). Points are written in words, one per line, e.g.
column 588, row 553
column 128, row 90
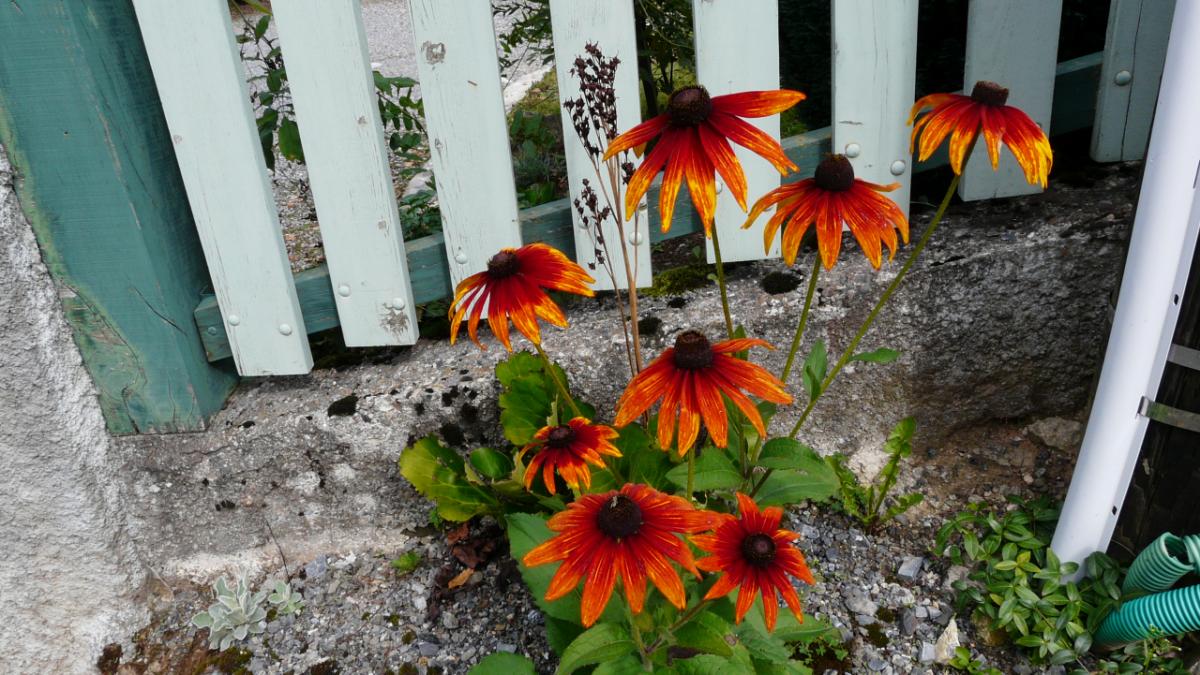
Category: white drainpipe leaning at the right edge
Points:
column 1165, row 237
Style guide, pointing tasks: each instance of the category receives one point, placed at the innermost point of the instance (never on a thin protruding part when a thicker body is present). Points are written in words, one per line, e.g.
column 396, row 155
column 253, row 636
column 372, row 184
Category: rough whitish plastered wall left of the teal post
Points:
column 68, row 571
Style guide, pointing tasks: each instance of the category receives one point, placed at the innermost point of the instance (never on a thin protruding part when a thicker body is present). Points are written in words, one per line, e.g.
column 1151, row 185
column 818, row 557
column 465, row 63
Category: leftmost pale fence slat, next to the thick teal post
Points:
column 202, row 85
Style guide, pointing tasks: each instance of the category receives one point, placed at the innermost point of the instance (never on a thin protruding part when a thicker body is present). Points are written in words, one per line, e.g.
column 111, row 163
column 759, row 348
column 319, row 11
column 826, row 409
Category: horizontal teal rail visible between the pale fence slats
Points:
column 1073, row 110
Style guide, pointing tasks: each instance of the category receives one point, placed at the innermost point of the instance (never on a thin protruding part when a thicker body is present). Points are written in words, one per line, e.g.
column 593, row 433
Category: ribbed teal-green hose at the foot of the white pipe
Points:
column 1163, row 612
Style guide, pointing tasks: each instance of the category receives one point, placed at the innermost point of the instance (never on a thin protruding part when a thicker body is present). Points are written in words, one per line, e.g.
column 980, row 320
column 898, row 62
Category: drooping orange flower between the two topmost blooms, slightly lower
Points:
column 831, row 198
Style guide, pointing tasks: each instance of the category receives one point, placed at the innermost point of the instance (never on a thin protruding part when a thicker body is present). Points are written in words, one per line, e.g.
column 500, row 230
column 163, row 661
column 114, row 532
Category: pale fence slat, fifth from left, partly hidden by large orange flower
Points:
column 737, row 50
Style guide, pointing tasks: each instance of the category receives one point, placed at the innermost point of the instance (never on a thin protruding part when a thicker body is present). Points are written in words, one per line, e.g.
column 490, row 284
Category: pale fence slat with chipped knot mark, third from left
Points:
column 460, row 79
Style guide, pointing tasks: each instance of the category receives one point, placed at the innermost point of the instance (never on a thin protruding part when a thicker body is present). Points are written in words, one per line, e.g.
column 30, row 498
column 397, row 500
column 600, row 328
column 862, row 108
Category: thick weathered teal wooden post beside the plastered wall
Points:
column 81, row 121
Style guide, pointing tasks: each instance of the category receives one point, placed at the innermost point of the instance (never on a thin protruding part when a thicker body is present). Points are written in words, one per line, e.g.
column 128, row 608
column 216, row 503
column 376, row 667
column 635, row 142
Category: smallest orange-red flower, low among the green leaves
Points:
column 569, row 449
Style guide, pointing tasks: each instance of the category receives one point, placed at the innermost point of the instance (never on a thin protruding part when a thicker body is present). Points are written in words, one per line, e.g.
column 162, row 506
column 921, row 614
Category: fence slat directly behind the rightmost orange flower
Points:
column 1015, row 44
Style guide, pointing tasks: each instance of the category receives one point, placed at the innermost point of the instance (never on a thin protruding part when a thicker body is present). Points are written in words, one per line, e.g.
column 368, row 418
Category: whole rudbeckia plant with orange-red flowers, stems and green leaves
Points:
column 653, row 531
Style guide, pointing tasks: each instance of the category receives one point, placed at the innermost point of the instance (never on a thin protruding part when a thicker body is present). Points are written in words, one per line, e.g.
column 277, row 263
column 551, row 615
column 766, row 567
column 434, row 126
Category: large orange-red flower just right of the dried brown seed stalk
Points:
column 694, row 138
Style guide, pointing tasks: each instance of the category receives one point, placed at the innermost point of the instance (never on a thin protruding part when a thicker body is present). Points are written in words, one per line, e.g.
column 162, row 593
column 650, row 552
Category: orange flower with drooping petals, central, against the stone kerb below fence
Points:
column 691, row 378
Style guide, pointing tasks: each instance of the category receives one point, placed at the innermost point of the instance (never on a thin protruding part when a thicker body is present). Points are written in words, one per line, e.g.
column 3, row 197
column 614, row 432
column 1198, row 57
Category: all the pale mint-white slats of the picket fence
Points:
column 203, row 88
